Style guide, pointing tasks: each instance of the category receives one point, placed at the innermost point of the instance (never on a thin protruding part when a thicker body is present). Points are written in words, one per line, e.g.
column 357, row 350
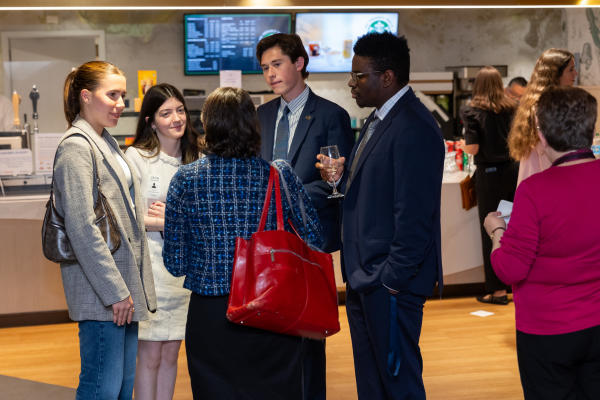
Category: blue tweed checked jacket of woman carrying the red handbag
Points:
column 213, row 201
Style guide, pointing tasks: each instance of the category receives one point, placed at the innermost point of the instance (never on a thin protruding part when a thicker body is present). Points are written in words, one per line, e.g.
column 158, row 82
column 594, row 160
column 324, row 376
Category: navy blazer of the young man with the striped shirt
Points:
column 322, row 123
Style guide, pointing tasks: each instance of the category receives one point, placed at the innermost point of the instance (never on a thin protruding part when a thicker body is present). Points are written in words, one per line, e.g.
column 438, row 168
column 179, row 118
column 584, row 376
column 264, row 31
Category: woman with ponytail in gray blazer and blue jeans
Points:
column 106, row 293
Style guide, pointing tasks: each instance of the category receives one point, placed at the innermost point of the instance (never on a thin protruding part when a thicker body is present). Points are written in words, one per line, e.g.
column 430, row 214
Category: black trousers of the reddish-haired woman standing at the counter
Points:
column 493, row 182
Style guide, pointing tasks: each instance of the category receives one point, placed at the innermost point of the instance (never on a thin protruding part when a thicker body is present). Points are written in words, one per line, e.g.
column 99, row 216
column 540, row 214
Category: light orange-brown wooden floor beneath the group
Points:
column 466, row 357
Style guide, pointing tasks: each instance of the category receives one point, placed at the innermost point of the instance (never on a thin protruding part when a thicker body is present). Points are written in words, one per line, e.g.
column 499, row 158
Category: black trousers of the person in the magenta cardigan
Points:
column 560, row 367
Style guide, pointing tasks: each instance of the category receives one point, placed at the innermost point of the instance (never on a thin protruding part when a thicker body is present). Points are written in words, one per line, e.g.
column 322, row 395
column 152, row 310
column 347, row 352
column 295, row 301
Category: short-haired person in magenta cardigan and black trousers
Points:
column 550, row 254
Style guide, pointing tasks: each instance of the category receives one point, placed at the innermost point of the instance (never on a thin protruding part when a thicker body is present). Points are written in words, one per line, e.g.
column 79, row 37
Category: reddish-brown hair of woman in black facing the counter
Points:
column 488, row 92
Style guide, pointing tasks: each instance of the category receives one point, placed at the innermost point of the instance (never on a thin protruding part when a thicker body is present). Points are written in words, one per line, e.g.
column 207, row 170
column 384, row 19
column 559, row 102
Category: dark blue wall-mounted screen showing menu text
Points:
column 218, row 42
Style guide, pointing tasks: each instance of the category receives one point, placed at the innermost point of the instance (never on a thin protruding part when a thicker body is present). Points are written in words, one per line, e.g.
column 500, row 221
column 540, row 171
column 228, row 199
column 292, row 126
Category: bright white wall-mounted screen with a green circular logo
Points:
column 330, row 37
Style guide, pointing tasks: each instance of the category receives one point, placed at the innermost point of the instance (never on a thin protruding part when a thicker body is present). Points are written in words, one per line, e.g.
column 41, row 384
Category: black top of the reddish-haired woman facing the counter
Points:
column 489, row 130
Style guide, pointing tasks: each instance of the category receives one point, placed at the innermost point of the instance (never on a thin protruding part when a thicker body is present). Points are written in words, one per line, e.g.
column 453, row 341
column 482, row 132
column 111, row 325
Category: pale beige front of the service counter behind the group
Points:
column 31, row 284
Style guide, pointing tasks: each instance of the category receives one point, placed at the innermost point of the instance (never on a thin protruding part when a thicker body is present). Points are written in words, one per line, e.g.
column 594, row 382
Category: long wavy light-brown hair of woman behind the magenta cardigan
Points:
column 547, row 72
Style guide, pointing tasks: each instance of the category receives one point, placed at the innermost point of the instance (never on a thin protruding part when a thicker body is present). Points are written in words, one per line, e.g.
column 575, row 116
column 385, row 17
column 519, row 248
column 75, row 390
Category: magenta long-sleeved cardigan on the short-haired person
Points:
column 550, row 252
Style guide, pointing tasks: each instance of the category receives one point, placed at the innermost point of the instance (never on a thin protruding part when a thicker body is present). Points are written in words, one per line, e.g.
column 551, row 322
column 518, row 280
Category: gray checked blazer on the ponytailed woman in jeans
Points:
column 99, row 278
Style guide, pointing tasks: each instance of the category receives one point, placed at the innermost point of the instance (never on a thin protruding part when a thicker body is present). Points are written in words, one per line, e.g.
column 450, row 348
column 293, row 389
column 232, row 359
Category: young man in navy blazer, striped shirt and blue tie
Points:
column 294, row 127
